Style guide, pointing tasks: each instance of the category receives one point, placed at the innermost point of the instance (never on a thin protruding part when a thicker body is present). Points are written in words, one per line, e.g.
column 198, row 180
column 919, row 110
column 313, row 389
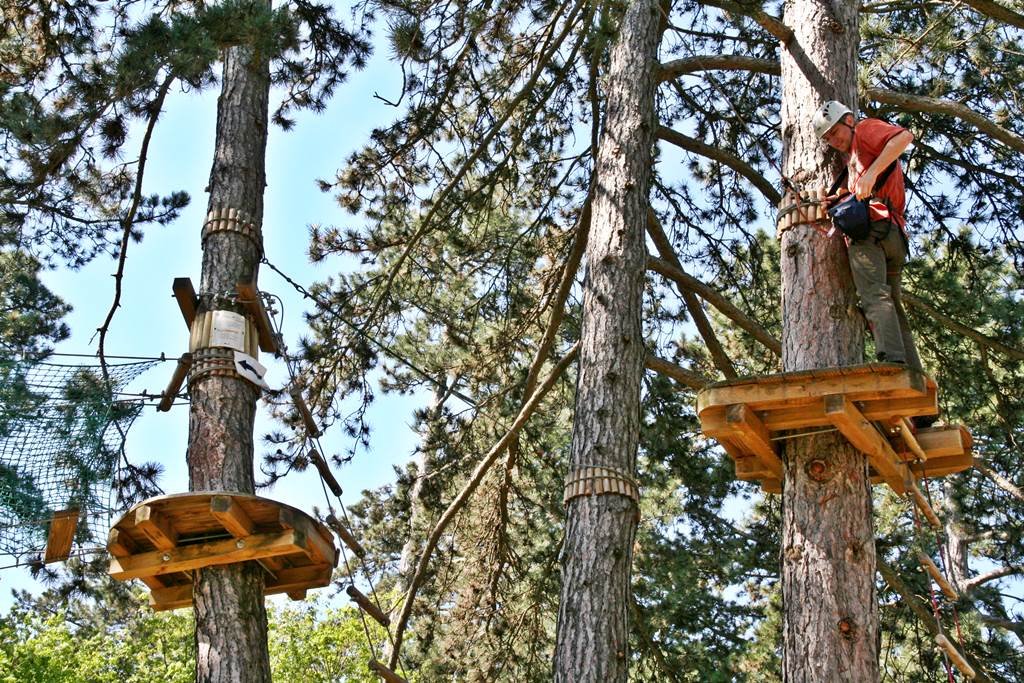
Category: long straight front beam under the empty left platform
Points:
column 229, row 551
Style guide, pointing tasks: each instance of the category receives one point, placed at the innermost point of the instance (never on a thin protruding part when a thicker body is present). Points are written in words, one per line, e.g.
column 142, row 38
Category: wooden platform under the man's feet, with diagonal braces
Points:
column 871, row 405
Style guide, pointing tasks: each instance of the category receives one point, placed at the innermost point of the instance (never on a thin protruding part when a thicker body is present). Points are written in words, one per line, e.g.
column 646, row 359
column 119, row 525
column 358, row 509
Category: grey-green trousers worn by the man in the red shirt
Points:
column 877, row 265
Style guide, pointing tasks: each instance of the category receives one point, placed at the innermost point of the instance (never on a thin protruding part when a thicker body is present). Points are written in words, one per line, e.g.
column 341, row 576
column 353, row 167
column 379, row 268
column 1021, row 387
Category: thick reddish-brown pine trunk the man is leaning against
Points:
column 831, row 622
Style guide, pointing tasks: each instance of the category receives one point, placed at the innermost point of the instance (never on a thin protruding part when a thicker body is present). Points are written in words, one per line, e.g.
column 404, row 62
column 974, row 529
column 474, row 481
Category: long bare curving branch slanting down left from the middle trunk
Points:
column 460, row 501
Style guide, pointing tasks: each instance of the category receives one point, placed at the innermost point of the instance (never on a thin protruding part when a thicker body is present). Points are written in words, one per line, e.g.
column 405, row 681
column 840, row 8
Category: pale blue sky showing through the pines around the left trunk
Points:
column 149, row 322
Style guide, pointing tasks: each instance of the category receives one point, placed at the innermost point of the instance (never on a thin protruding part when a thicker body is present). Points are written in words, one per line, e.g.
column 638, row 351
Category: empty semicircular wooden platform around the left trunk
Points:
column 163, row 540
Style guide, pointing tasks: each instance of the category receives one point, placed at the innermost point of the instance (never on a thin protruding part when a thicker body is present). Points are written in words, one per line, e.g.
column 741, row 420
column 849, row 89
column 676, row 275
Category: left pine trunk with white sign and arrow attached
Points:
column 231, row 617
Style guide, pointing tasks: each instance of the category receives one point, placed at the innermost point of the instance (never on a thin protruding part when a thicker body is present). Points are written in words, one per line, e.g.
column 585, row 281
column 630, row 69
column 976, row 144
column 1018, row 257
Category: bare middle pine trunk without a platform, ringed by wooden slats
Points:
column 592, row 632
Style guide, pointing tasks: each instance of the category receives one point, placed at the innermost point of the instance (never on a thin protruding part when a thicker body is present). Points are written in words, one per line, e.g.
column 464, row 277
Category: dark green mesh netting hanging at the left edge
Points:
column 62, row 436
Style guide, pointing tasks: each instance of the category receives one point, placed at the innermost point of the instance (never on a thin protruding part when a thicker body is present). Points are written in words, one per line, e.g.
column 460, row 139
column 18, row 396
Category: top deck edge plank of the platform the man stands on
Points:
column 800, row 390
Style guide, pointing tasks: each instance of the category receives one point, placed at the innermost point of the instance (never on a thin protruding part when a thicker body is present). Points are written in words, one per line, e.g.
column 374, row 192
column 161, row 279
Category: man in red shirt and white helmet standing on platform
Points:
column 869, row 147
